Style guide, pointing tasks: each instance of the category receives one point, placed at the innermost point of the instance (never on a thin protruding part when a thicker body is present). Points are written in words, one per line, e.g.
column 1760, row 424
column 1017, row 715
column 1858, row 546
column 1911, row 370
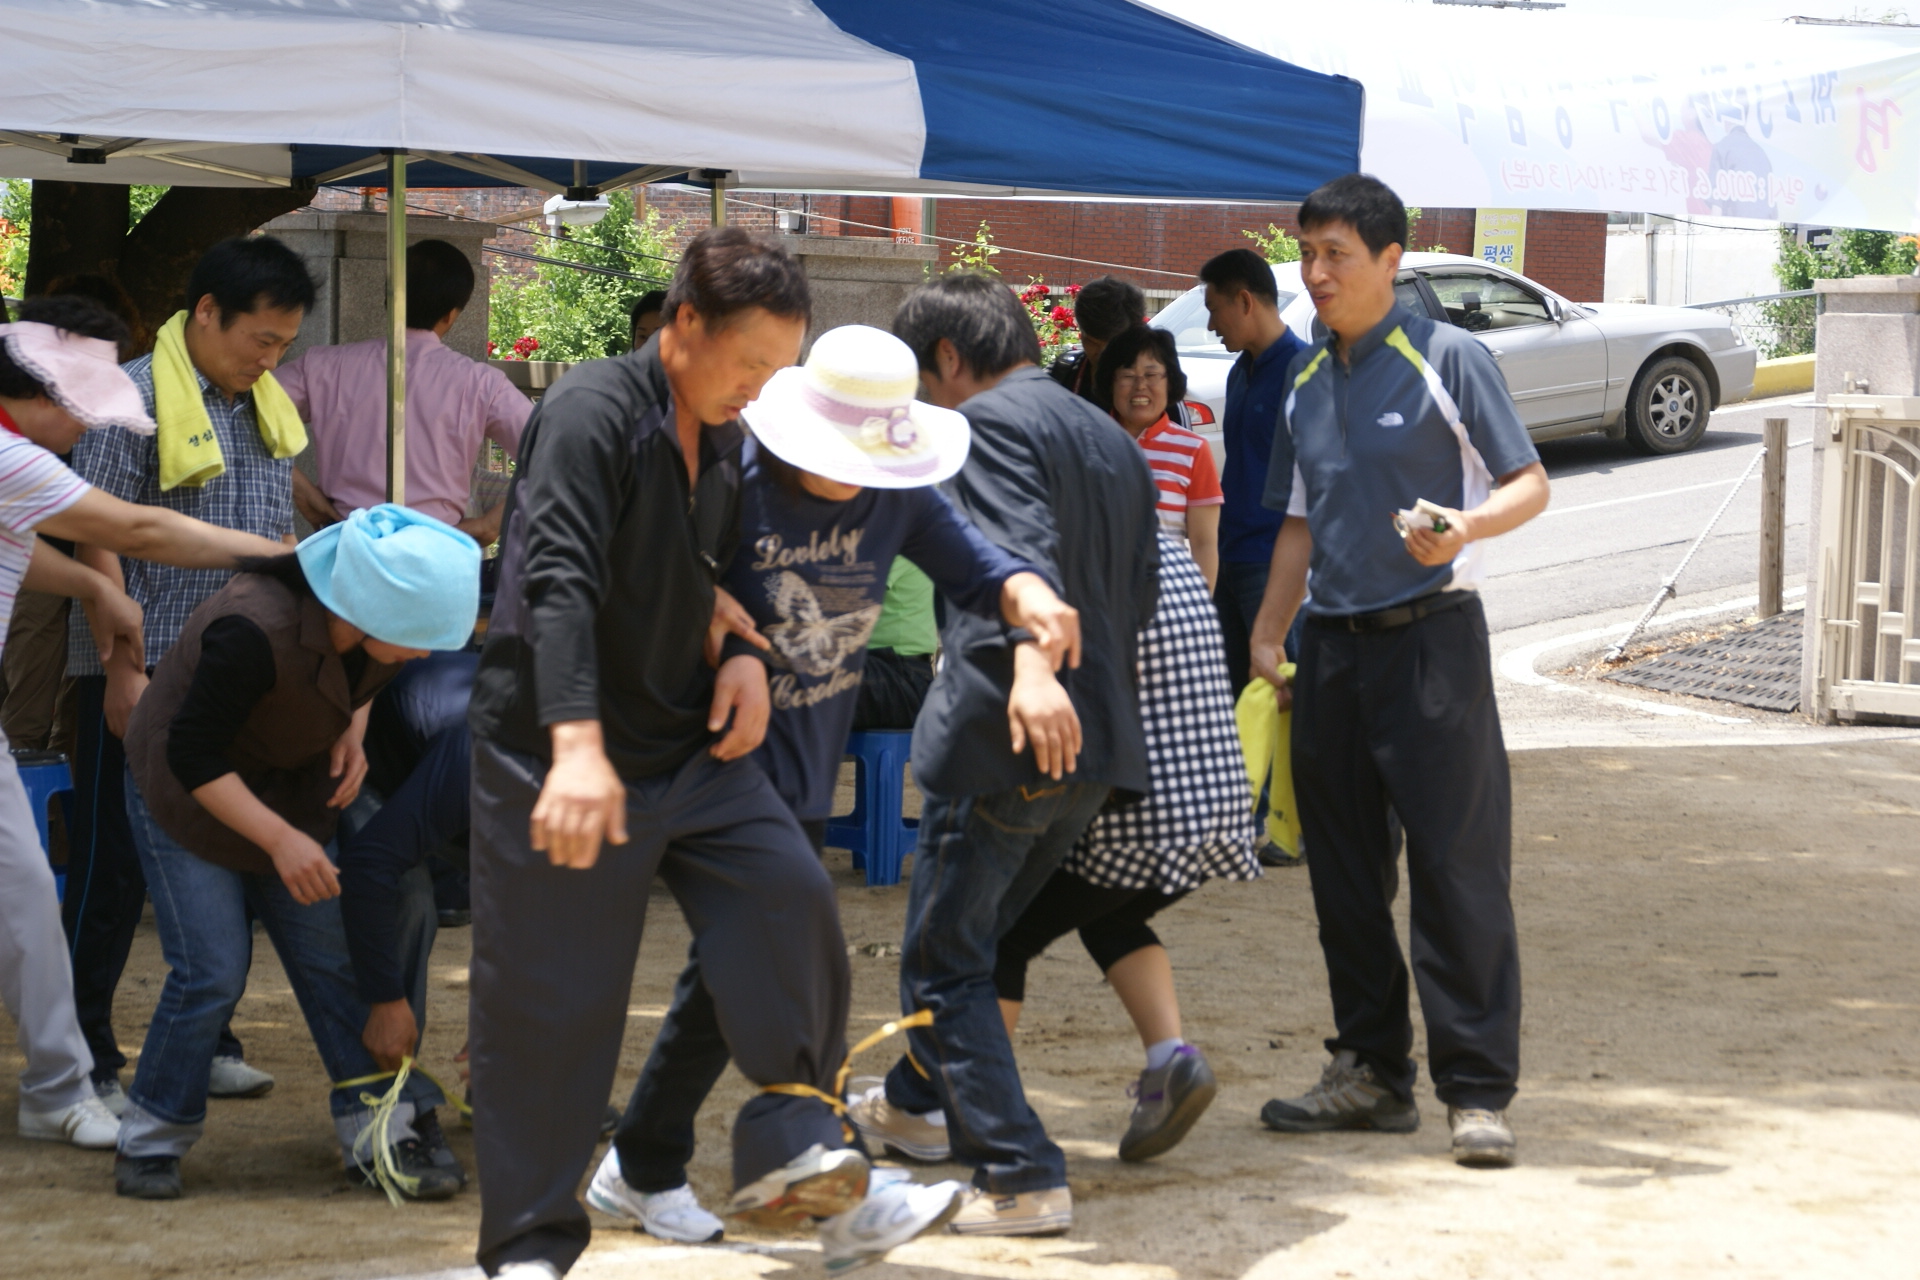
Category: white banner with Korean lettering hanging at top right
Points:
column 1575, row 110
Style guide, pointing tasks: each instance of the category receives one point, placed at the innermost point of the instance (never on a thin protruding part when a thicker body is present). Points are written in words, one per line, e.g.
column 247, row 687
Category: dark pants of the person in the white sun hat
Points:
column 656, row 1137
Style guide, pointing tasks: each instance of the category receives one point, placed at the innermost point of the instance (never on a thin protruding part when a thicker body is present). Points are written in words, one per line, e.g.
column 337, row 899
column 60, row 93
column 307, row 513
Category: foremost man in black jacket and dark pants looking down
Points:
column 596, row 719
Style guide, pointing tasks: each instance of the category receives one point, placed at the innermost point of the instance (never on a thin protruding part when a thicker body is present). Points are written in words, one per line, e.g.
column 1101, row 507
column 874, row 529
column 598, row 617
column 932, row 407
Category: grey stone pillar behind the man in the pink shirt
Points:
column 347, row 254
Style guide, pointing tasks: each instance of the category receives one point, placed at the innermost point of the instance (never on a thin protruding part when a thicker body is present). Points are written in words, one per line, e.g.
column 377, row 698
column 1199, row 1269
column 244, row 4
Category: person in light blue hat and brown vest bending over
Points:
column 239, row 757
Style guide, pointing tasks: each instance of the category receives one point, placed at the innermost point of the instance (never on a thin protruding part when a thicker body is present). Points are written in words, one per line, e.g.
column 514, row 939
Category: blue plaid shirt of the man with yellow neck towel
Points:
column 254, row 494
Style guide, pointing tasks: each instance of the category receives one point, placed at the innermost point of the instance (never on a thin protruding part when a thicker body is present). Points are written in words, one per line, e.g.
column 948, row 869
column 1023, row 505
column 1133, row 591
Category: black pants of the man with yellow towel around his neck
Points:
column 107, row 889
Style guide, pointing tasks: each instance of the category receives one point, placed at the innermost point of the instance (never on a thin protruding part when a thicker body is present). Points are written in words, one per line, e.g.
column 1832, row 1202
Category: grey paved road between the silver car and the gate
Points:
column 1620, row 523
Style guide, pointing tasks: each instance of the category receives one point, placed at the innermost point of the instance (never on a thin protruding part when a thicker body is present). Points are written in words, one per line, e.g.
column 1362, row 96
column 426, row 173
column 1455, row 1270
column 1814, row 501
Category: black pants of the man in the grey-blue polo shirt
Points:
column 1406, row 719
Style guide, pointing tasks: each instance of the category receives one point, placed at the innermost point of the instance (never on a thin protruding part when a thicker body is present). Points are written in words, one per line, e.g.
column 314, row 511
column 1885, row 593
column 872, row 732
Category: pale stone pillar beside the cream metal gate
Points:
column 1865, row 341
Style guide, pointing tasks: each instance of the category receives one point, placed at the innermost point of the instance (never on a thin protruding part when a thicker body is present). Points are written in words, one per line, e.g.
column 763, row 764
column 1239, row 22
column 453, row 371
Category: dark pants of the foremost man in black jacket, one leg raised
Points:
column 554, row 970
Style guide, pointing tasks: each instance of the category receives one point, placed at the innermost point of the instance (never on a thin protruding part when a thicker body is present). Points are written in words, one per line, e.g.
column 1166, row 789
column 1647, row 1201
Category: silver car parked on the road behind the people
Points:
column 1646, row 375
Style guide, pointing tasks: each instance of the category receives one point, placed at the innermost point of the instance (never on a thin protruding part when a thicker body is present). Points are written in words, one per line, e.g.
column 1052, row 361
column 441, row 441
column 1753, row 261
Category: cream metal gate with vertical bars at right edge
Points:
column 1869, row 655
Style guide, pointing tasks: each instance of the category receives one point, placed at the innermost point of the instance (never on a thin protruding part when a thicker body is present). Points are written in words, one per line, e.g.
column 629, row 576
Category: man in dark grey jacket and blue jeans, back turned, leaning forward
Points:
column 1061, row 486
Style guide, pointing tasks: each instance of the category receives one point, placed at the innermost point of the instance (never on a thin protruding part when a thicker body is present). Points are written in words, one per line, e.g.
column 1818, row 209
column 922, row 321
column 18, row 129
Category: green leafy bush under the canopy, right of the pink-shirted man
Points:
column 583, row 316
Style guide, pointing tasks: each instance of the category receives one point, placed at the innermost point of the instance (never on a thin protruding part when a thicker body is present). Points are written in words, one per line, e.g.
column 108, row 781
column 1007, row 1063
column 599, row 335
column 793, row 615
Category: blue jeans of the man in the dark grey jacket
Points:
column 978, row 866
